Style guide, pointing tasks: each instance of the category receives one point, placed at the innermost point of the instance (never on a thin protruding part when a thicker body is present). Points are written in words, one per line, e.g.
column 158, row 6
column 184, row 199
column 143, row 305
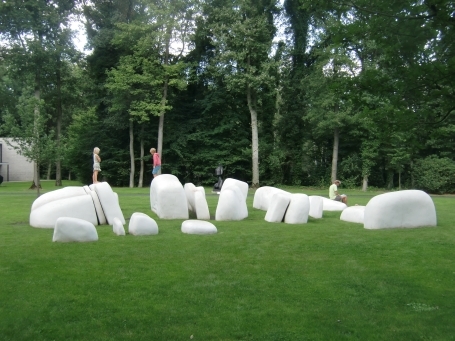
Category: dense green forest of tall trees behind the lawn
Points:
column 297, row 92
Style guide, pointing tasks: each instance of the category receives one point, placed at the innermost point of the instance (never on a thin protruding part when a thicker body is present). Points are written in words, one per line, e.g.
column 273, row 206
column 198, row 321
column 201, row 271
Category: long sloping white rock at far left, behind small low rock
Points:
column 80, row 207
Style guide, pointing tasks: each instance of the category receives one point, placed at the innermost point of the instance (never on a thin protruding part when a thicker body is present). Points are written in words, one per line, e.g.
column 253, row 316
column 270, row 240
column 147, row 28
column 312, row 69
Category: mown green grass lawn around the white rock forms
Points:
column 253, row 280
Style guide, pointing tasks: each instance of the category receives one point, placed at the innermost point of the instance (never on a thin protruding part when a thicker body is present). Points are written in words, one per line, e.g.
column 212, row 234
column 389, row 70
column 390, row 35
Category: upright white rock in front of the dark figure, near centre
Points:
column 231, row 205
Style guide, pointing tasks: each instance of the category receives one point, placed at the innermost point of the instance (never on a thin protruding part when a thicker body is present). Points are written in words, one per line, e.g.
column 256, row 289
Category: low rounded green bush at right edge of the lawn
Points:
column 435, row 175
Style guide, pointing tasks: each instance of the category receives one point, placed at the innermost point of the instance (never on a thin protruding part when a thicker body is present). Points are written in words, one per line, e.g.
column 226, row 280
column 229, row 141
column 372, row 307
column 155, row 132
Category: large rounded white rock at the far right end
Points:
column 409, row 208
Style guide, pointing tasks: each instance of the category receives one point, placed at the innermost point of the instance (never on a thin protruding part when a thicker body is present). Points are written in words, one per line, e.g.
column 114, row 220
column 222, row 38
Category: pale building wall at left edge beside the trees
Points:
column 20, row 169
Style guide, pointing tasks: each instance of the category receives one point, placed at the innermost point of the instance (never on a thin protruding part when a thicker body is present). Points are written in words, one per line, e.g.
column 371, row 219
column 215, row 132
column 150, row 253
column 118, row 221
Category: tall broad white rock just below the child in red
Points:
column 167, row 197
